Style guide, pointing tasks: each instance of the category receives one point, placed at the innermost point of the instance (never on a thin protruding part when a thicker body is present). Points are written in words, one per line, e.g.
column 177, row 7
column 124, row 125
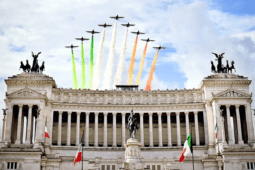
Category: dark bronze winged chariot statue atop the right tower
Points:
column 220, row 67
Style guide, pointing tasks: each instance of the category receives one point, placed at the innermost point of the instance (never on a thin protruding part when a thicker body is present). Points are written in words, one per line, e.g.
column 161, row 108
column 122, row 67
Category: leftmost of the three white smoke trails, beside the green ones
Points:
column 97, row 68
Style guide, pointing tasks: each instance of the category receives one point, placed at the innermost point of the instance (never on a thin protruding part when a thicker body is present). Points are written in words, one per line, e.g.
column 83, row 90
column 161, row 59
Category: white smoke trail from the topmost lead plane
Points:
column 109, row 65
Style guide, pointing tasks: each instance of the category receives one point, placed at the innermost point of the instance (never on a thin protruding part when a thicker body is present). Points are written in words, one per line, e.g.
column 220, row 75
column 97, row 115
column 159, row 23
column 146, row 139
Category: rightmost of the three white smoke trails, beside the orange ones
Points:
column 121, row 60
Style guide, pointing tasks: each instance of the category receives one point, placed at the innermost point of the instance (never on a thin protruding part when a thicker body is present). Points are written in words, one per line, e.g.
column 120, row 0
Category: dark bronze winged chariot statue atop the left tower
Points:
column 35, row 67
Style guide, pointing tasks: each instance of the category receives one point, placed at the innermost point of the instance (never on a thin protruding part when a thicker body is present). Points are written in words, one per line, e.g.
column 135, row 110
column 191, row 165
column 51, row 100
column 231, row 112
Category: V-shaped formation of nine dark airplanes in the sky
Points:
column 117, row 17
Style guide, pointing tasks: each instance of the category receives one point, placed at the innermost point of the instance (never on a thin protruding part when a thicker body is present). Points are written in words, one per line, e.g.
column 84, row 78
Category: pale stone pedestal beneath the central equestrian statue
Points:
column 133, row 155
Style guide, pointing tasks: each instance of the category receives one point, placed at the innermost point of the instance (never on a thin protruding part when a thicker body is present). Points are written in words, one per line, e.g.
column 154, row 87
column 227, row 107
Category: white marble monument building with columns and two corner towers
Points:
column 166, row 117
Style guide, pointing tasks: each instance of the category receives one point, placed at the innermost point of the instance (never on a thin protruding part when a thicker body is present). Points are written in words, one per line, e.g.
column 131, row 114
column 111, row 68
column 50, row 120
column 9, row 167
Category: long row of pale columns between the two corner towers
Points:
column 123, row 127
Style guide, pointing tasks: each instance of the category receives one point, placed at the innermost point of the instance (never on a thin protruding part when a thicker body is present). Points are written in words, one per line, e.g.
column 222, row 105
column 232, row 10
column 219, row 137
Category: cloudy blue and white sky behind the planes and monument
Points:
column 190, row 29
